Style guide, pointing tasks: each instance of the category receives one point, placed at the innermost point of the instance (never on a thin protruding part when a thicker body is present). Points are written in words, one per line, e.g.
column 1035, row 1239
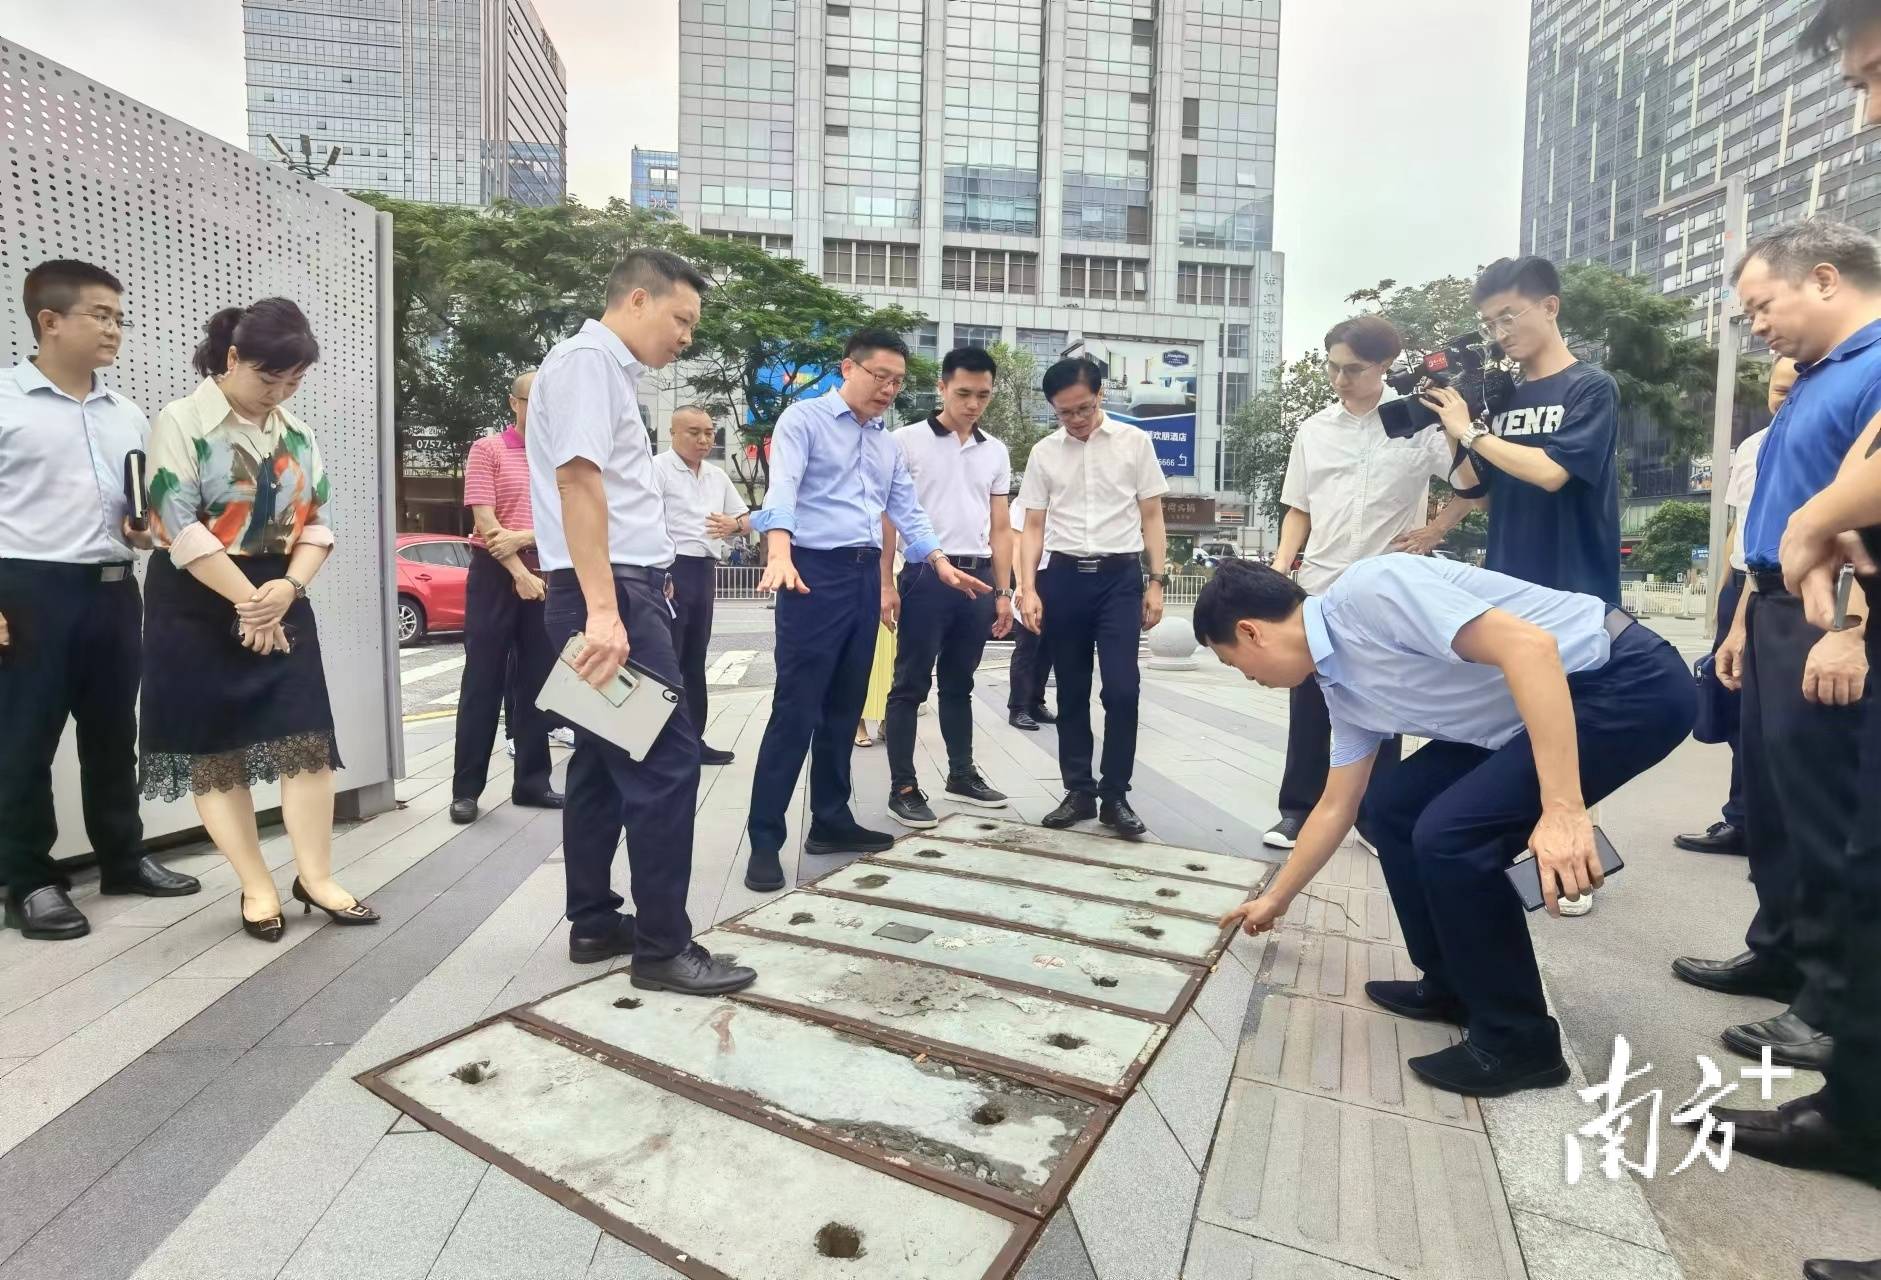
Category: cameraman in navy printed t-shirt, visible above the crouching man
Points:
column 1549, row 458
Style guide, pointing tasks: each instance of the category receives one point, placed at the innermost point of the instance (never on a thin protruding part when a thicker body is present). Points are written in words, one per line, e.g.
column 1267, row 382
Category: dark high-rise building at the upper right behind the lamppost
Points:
column 1641, row 103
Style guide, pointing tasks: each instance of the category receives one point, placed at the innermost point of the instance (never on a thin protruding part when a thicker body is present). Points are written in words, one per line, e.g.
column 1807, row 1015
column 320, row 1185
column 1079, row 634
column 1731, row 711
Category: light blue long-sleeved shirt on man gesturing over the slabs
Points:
column 834, row 475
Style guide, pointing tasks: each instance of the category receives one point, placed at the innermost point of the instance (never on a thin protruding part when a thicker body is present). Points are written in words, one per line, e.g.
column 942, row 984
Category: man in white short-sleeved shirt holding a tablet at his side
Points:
column 603, row 543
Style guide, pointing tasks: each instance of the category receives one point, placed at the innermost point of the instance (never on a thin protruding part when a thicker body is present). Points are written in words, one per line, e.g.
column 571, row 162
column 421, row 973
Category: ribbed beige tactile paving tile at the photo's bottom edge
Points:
column 1391, row 1194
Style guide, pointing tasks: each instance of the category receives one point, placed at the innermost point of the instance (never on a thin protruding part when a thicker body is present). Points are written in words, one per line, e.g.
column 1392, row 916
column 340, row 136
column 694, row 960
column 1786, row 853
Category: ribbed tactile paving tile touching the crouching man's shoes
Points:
column 1353, row 1055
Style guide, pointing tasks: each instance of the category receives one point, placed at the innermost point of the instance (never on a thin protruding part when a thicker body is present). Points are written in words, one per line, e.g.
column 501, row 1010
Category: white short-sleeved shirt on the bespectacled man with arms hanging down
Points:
column 1090, row 490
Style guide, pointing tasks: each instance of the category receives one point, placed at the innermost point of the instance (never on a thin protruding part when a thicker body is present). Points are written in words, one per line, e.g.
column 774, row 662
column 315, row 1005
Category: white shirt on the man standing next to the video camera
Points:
column 1361, row 487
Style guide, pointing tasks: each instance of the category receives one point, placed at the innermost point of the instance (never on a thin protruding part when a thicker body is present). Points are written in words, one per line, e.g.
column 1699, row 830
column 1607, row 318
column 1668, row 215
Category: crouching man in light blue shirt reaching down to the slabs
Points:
column 1538, row 703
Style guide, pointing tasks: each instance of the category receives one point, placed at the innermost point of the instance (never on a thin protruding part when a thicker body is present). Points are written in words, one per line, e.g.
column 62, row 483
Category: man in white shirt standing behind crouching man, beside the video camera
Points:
column 1351, row 494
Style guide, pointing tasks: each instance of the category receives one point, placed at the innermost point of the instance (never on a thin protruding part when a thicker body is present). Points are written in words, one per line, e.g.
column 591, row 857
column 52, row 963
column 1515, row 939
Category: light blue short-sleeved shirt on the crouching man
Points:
column 1383, row 639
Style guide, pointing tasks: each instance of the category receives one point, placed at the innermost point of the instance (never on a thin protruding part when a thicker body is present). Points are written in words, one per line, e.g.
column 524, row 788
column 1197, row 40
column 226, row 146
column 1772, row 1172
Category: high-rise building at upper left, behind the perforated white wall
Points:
column 452, row 103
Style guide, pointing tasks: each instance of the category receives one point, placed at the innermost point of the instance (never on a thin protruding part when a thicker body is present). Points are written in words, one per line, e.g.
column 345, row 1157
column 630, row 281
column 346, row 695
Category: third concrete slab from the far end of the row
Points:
column 1139, row 929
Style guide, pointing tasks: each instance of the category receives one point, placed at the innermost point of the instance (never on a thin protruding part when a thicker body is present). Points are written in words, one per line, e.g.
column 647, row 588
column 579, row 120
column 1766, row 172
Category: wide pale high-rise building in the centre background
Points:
column 1032, row 172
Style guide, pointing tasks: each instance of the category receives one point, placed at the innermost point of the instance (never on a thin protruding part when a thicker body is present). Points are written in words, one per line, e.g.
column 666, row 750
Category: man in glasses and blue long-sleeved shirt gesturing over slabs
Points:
column 836, row 473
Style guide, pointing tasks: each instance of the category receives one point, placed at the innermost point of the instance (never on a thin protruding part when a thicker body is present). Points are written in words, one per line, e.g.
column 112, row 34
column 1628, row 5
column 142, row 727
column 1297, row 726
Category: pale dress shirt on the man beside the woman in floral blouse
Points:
column 63, row 470
